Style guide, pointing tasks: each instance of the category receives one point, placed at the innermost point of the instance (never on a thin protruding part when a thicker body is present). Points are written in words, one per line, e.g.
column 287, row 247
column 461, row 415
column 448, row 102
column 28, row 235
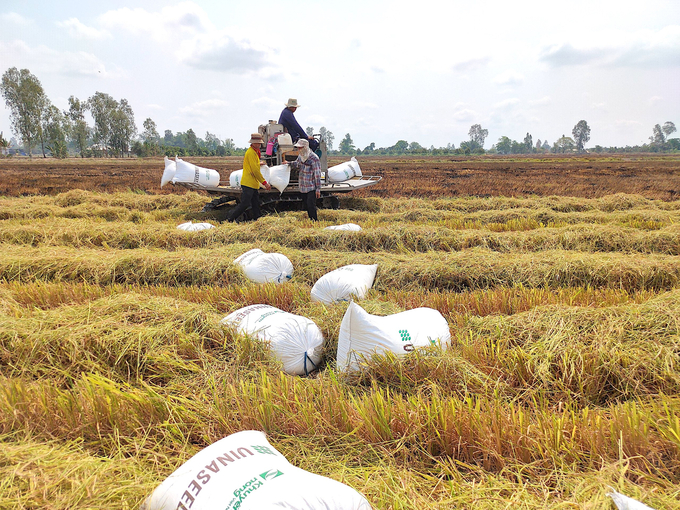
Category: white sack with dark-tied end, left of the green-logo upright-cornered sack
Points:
column 295, row 340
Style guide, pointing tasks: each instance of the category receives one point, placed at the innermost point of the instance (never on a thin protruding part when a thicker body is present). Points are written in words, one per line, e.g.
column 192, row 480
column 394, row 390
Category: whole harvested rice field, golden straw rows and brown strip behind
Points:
column 560, row 280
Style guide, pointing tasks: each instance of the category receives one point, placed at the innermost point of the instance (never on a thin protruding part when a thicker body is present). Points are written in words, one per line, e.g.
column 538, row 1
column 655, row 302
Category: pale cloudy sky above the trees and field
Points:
column 380, row 70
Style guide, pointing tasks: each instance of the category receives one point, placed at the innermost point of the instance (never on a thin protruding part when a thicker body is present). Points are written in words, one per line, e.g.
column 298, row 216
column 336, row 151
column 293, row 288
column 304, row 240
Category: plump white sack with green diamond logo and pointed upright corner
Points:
column 363, row 334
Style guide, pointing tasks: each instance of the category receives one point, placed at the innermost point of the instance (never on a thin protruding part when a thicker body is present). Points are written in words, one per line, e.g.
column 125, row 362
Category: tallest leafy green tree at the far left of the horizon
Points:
column 26, row 101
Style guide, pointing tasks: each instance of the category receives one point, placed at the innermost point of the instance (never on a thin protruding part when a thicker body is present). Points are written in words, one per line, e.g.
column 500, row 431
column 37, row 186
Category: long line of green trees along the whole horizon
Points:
column 39, row 124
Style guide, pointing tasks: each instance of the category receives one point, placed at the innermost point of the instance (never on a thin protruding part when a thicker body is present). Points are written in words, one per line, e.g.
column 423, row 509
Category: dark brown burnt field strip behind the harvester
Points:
column 589, row 176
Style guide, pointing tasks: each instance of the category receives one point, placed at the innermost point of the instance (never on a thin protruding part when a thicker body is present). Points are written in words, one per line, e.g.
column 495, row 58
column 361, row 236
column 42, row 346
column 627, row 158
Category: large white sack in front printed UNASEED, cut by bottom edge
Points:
column 244, row 472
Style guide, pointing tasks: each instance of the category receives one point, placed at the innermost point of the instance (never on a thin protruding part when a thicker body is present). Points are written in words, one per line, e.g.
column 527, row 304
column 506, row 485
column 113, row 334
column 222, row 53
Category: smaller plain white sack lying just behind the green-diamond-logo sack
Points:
column 344, row 282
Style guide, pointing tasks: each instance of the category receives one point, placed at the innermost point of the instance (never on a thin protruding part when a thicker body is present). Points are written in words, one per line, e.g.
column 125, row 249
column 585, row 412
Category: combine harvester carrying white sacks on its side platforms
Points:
column 285, row 192
